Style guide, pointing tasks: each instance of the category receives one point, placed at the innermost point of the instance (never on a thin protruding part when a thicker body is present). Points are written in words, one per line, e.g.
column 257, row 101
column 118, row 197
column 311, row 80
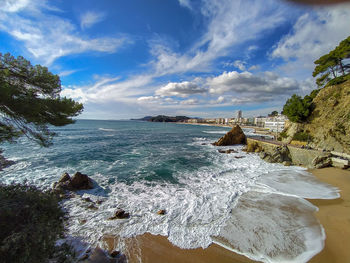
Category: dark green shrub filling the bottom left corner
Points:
column 30, row 223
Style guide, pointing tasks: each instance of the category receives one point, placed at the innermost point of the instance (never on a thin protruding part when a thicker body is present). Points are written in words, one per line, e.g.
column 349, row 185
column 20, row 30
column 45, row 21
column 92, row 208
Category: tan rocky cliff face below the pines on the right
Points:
column 329, row 123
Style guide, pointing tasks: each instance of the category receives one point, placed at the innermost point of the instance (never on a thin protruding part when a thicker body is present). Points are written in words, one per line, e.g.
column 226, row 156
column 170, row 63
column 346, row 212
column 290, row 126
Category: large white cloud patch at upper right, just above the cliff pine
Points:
column 313, row 35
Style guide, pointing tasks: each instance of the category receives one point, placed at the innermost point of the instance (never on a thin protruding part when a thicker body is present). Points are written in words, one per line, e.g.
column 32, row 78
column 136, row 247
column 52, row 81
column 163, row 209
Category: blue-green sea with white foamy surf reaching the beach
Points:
column 236, row 200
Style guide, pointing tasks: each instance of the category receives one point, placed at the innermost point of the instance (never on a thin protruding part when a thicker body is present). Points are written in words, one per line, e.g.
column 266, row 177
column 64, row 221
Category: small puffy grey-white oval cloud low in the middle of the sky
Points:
column 181, row 89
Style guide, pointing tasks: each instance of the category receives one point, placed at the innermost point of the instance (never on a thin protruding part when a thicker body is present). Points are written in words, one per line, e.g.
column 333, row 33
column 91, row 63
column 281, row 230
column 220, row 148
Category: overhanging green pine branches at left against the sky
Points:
column 30, row 101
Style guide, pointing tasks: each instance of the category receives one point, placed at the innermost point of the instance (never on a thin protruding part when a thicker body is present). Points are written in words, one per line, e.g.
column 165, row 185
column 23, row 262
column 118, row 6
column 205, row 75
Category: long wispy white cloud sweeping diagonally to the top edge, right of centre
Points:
column 229, row 23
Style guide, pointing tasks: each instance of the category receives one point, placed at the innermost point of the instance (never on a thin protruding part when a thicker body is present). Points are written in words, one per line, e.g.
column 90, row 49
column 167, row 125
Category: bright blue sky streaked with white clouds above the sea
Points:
column 199, row 58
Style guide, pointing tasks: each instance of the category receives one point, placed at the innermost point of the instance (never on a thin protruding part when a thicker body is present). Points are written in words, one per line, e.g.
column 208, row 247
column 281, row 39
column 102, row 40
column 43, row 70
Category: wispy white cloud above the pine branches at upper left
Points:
column 49, row 37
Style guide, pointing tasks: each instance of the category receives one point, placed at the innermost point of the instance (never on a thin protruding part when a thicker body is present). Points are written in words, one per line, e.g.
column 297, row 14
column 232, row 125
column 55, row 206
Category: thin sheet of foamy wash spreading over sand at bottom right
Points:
column 275, row 228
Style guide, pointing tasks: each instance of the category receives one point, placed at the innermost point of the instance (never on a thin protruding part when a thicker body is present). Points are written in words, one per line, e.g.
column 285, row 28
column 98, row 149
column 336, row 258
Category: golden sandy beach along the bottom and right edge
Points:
column 333, row 215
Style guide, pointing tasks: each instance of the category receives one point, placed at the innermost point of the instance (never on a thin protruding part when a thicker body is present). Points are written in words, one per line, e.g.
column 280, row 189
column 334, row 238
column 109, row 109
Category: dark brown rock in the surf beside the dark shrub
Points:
column 79, row 181
